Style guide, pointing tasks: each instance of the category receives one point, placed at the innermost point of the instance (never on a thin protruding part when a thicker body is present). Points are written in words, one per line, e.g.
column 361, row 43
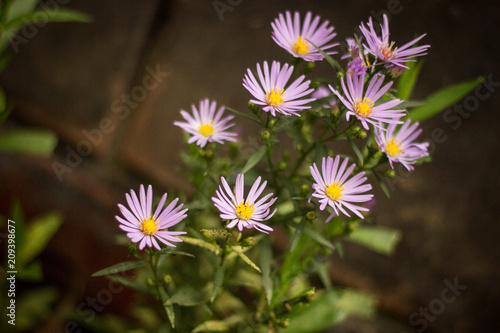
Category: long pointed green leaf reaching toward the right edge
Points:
column 442, row 99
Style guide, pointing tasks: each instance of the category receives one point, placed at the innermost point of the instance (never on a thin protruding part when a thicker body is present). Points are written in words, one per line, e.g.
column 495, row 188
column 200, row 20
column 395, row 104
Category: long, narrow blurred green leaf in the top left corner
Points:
column 44, row 16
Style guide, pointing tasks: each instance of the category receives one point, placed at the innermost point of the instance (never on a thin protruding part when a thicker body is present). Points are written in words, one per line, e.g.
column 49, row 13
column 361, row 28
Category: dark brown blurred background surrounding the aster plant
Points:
column 112, row 88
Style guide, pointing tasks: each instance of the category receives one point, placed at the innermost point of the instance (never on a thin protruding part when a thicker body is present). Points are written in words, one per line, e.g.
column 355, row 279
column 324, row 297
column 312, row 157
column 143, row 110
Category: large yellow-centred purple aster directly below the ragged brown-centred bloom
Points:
column 361, row 103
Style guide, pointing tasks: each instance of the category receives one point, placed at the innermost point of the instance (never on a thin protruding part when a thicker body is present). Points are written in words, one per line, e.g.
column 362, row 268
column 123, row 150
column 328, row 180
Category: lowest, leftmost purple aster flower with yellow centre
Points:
column 144, row 227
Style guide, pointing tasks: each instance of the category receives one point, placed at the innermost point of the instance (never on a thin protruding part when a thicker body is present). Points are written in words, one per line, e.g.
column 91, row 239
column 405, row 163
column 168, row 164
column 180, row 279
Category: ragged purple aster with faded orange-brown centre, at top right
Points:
column 384, row 50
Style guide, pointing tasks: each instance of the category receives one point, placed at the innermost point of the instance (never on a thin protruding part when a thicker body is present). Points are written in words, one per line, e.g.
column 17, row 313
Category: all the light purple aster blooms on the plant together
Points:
column 361, row 93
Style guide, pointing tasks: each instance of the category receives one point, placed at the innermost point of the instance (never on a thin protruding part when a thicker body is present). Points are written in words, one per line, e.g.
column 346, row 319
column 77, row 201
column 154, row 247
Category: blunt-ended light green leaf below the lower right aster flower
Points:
column 382, row 240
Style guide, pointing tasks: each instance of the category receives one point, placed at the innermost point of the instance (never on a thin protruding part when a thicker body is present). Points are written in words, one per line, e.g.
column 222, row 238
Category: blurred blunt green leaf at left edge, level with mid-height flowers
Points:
column 27, row 141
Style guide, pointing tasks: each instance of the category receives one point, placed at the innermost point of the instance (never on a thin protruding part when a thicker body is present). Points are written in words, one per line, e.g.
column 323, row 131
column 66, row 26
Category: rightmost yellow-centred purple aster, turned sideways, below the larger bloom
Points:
column 399, row 145
